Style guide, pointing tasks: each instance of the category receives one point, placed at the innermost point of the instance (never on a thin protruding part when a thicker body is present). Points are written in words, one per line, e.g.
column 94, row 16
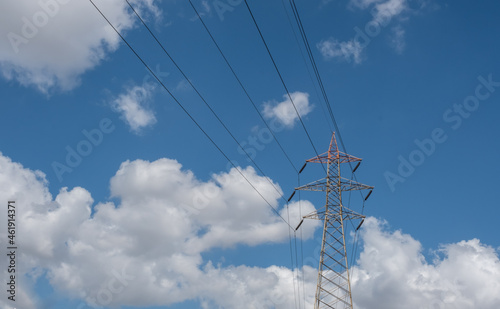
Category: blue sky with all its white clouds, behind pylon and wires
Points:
column 414, row 86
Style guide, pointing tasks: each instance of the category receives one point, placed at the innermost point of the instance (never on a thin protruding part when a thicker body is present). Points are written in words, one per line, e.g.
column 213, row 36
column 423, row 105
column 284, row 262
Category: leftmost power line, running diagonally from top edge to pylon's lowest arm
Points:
column 186, row 112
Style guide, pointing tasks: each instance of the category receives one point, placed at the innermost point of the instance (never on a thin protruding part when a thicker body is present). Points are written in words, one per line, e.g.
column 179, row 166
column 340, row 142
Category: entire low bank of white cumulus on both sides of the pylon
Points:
column 147, row 249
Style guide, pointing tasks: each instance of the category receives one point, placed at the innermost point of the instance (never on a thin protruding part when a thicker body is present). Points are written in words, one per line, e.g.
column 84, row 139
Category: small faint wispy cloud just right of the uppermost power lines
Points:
column 348, row 51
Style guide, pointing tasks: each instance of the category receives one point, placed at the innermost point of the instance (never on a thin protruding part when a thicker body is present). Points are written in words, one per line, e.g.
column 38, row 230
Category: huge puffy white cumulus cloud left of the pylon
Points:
column 147, row 249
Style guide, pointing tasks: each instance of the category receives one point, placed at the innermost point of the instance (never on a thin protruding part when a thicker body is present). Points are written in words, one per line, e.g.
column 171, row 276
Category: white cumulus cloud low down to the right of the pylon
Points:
column 392, row 273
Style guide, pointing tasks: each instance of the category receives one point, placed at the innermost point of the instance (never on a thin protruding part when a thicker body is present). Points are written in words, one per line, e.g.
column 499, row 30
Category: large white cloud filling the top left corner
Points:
column 49, row 44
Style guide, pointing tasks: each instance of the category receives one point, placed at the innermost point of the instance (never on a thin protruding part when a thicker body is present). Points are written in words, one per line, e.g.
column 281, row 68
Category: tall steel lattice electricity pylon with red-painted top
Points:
column 334, row 287
